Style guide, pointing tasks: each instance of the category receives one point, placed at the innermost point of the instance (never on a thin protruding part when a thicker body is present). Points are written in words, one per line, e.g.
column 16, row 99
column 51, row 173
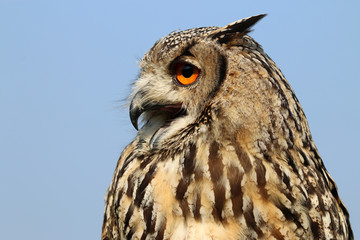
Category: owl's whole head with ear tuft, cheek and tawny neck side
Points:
column 218, row 77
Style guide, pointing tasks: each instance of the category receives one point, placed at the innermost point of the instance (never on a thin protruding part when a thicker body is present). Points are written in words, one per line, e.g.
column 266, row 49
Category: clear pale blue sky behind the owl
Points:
column 66, row 68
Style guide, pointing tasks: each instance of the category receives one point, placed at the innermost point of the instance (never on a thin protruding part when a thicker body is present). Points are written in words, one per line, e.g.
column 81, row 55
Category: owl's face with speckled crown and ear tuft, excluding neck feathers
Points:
column 179, row 78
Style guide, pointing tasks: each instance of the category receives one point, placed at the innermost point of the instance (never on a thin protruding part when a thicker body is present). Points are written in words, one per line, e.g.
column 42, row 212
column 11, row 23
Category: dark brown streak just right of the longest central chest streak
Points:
column 235, row 177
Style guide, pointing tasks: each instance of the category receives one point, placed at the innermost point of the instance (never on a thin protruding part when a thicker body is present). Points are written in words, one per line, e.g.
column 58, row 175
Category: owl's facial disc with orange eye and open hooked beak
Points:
column 173, row 89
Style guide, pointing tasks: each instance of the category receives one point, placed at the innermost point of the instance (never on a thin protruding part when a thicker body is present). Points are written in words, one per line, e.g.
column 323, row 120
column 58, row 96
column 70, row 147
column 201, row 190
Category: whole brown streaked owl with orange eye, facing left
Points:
column 224, row 151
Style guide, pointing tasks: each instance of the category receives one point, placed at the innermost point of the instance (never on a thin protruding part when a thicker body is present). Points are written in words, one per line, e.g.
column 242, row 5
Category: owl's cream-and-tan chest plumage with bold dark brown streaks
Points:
column 201, row 195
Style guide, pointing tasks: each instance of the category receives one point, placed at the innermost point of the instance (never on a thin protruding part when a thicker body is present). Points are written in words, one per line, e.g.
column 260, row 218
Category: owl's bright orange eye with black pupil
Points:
column 186, row 73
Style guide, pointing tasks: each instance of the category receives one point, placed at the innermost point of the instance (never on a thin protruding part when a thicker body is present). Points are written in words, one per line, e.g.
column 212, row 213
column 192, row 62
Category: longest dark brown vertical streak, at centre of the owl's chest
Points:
column 216, row 172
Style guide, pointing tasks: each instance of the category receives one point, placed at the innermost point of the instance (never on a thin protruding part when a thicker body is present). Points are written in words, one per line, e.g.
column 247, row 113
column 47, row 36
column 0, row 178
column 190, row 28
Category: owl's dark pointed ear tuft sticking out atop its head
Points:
column 240, row 27
